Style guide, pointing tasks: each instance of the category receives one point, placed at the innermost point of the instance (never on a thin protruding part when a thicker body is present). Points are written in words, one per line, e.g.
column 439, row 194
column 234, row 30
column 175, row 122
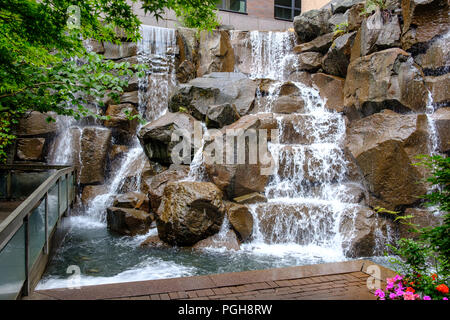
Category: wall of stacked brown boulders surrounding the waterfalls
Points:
column 379, row 73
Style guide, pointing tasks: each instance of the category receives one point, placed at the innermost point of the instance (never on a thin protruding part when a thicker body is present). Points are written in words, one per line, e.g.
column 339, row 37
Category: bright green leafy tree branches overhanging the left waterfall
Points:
column 44, row 65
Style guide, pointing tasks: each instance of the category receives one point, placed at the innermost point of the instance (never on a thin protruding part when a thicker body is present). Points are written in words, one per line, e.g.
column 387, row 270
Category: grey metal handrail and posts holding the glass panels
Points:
column 20, row 216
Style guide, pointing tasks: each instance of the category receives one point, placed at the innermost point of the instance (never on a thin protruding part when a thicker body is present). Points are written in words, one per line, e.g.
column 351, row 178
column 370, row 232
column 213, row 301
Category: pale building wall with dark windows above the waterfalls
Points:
column 247, row 14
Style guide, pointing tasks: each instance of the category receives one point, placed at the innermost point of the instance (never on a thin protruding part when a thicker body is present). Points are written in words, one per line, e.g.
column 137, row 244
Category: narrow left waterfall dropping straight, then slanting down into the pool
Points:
column 156, row 50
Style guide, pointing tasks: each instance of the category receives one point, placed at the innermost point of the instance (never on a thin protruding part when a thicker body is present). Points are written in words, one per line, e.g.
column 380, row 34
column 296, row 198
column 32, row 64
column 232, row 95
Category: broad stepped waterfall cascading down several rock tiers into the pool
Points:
column 308, row 193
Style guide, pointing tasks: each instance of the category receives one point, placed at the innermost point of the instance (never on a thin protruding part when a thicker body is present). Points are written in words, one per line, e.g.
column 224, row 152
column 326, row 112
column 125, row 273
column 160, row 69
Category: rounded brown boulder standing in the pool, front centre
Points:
column 189, row 212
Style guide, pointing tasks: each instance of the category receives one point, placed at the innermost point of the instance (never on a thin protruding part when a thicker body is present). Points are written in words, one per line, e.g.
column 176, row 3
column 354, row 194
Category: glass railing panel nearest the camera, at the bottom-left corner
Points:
column 12, row 266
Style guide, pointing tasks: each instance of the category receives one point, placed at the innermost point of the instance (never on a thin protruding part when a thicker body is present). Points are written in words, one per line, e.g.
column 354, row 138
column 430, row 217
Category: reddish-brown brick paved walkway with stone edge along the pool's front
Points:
column 337, row 281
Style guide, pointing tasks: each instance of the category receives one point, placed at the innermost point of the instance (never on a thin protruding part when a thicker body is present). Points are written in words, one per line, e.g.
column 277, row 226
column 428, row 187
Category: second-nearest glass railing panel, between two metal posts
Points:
column 36, row 229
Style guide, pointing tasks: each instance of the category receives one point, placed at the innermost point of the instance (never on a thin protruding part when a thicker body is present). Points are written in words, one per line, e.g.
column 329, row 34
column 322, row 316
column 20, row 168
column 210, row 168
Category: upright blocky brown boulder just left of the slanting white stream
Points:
column 94, row 149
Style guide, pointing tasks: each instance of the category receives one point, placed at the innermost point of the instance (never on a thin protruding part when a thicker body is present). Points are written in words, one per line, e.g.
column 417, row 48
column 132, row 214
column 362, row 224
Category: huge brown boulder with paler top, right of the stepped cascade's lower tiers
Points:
column 385, row 146
